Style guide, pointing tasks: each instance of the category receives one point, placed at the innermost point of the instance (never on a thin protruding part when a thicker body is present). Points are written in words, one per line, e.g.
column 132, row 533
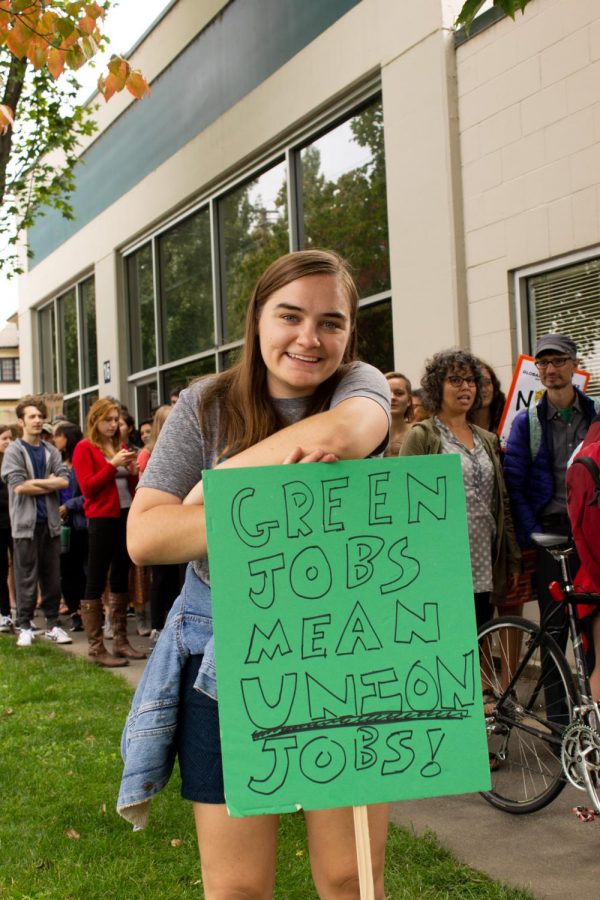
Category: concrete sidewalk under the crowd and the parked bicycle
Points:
column 550, row 853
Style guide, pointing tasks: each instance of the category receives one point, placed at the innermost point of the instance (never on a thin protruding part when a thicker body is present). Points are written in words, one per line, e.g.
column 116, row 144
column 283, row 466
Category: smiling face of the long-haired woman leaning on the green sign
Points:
column 303, row 331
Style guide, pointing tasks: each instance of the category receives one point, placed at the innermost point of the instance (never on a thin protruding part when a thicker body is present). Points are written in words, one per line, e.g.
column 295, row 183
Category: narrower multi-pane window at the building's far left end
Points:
column 68, row 354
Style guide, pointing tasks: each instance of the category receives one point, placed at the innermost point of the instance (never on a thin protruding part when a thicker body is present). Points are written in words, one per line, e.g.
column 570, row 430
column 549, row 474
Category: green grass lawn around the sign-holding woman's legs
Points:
column 60, row 837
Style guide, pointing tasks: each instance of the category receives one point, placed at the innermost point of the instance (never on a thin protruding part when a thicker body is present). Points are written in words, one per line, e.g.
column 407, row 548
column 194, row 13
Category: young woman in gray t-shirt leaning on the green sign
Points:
column 296, row 395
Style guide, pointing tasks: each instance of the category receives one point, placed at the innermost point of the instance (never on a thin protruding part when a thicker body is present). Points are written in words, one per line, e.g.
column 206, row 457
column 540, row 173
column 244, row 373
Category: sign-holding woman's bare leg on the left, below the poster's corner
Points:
column 237, row 855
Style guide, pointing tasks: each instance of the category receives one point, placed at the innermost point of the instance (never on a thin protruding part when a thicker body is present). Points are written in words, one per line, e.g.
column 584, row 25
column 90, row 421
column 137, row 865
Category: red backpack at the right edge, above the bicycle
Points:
column 583, row 501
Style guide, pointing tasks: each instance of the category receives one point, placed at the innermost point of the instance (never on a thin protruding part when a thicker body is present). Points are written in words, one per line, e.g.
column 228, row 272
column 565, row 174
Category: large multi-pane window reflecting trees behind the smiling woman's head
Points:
column 188, row 285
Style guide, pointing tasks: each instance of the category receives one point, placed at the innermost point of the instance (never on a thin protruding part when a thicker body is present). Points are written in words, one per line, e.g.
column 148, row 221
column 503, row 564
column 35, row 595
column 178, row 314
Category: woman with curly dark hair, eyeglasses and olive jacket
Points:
column 452, row 386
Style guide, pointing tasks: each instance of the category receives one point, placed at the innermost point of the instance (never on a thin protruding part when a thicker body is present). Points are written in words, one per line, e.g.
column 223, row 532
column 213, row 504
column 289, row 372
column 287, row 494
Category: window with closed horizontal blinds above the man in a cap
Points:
column 566, row 300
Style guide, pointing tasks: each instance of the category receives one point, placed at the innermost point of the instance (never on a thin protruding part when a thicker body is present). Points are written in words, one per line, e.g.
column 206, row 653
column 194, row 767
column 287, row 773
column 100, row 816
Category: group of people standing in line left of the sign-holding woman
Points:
column 64, row 501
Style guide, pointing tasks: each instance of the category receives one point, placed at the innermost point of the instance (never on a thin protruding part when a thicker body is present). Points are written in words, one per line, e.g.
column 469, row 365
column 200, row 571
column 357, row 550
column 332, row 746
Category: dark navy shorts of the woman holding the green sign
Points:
column 199, row 741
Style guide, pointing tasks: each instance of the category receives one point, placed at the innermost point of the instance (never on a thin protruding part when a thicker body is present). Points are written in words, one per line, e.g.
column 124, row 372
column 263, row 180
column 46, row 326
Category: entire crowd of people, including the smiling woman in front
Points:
column 297, row 394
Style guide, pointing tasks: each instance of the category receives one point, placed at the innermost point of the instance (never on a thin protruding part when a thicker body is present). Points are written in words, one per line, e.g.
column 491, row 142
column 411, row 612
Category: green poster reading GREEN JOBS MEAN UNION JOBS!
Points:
column 345, row 637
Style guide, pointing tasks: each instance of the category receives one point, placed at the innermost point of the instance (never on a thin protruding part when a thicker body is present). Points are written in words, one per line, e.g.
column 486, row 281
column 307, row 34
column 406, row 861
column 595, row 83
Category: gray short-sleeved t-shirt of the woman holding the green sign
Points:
column 183, row 451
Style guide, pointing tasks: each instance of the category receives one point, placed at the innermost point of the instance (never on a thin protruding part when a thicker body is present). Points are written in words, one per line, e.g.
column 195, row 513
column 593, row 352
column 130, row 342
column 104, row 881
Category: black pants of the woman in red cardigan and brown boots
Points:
column 107, row 550
